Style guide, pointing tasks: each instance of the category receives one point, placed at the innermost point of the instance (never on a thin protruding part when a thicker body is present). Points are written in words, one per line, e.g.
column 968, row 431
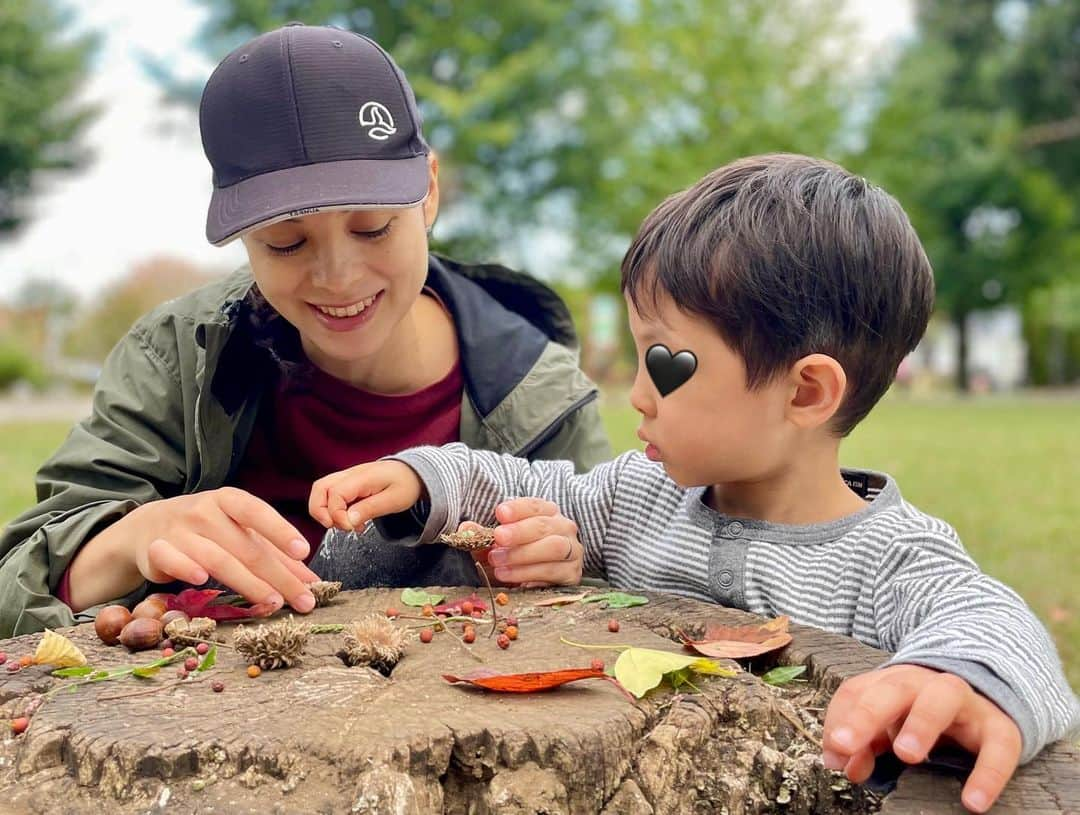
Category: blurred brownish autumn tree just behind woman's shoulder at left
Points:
column 148, row 286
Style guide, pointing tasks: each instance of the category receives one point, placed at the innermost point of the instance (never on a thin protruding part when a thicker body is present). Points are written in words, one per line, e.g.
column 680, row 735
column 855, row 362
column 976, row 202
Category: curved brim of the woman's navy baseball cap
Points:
column 312, row 188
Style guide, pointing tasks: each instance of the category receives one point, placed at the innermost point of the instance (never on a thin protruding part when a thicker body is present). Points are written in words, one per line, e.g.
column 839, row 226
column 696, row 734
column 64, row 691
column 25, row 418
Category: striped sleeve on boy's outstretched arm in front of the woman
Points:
column 465, row 484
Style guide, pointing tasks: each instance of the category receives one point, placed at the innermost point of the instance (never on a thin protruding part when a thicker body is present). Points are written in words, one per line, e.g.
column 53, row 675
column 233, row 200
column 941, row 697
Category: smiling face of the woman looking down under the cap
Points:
column 345, row 279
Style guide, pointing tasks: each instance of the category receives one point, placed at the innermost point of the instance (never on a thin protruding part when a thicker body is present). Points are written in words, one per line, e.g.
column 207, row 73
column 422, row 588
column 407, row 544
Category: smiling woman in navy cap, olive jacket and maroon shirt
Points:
column 342, row 342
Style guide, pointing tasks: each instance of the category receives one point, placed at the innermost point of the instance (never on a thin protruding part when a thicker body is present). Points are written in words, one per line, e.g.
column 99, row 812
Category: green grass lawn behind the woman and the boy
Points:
column 1004, row 472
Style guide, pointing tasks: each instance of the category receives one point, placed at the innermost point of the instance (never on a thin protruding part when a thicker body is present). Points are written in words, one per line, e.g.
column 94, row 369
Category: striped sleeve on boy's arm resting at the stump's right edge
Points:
column 935, row 608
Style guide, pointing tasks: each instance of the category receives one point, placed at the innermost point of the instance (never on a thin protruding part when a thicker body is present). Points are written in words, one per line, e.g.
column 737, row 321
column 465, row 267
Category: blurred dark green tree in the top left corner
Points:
column 40, row 72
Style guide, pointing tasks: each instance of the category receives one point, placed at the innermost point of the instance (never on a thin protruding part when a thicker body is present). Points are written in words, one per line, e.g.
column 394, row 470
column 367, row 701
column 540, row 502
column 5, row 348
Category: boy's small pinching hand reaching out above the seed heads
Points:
column 350, row 498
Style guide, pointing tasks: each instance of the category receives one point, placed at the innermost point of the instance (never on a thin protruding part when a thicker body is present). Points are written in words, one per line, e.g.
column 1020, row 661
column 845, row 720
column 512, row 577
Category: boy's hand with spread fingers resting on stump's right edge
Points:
column 910, row 708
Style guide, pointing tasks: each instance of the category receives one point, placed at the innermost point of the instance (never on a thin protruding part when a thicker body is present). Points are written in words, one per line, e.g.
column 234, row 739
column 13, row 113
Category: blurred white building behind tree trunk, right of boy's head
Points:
column 997, row 354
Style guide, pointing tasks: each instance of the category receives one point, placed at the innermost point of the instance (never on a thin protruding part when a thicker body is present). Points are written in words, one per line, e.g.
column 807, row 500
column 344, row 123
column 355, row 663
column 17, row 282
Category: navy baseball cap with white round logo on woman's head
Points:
column 306, row 119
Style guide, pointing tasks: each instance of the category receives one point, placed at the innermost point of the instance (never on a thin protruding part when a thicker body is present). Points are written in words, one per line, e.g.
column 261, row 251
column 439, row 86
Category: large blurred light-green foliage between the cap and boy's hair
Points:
column 563, row 124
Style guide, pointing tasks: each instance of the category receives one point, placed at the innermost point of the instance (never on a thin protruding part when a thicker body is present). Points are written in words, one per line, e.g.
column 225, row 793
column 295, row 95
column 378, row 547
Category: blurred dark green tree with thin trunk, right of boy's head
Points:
column 996, row 225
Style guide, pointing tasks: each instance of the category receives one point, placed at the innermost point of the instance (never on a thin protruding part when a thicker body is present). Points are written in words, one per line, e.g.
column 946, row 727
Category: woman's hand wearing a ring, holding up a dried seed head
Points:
column 535, row 546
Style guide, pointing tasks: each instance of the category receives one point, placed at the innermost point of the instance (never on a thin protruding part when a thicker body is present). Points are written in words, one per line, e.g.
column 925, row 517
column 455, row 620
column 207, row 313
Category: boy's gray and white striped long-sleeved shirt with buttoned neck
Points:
column 889, row 576
